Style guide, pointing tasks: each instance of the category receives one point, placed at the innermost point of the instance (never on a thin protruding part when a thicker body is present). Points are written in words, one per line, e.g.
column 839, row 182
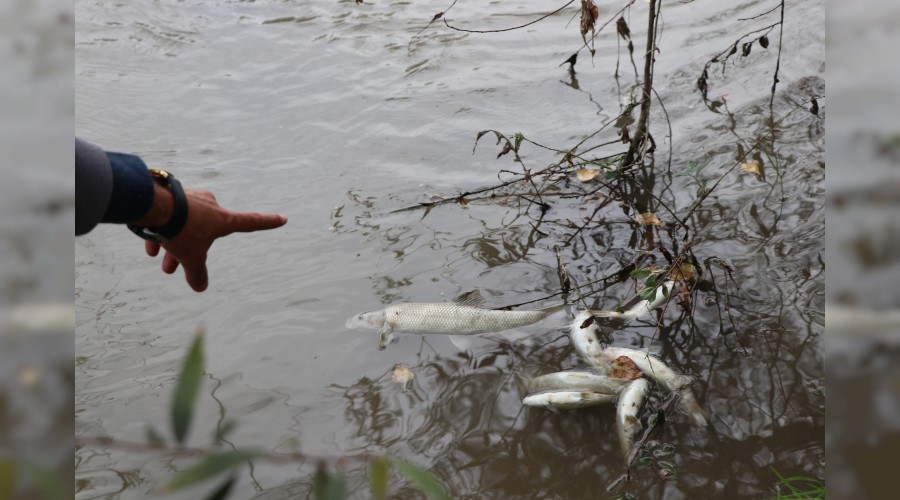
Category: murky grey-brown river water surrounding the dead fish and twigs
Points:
column 336, row 114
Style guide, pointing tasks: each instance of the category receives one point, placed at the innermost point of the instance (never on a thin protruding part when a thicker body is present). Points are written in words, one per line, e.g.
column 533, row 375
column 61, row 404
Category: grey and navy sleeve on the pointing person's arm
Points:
column 109, row 187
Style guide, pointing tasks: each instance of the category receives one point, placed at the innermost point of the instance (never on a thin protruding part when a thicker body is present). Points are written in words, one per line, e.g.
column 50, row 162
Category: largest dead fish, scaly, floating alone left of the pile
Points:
column 463, row 316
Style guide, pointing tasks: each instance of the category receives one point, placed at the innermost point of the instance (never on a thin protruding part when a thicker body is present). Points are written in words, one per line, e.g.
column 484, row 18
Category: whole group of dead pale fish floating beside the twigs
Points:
column 613, row 375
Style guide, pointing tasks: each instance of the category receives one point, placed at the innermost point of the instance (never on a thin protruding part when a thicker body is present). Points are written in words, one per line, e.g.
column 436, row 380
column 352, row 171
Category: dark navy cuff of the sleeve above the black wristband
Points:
column 132, row 189
